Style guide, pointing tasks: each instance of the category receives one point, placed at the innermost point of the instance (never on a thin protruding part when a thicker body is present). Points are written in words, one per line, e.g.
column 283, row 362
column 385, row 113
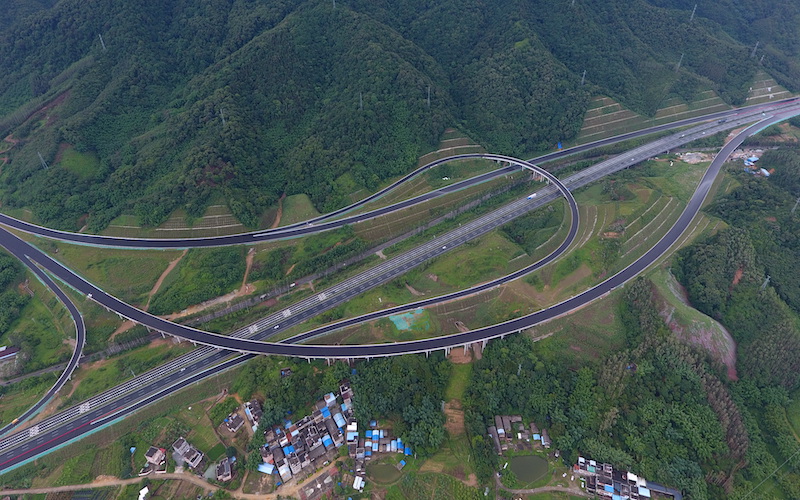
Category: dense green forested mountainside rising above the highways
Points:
column 181, row 103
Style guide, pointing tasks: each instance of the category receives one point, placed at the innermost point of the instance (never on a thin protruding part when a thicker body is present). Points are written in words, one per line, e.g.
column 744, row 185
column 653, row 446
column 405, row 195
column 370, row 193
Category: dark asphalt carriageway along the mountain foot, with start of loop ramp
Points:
column 318, row 224
